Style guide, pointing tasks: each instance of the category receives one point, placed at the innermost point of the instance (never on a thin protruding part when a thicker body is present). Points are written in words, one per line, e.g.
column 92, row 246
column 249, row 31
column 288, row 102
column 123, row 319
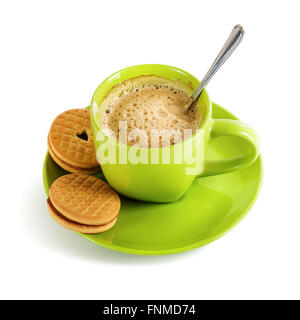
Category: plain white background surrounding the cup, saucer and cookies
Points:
column 53, row 54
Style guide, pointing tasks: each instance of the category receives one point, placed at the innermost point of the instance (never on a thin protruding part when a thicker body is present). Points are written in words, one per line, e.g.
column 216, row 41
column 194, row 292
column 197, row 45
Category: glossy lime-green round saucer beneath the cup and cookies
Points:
column 211, row 207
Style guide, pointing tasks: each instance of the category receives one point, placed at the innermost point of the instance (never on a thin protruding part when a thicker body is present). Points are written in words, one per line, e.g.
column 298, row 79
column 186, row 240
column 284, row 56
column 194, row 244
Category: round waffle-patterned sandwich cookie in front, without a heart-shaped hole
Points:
column 83, row 203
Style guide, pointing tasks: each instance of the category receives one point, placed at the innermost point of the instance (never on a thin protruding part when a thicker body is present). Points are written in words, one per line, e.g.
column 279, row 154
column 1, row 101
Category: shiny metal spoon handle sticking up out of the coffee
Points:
column 230, row 45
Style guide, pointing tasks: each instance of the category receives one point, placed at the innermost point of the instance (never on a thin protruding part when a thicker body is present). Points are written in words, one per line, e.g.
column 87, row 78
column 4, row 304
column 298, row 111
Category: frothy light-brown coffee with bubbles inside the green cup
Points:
column 147, row 111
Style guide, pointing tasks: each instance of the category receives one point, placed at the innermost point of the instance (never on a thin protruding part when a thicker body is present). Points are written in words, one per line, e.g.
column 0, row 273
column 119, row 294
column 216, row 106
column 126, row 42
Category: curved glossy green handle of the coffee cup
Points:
column 226, row 127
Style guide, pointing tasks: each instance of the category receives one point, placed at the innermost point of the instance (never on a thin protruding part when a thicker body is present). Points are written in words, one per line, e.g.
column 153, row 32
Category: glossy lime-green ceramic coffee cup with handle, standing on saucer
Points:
column 165, row 174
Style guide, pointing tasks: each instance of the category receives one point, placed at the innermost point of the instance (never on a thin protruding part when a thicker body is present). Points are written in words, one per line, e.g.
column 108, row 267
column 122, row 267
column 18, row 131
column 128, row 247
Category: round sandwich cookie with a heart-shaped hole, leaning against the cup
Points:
column 70, row 142
